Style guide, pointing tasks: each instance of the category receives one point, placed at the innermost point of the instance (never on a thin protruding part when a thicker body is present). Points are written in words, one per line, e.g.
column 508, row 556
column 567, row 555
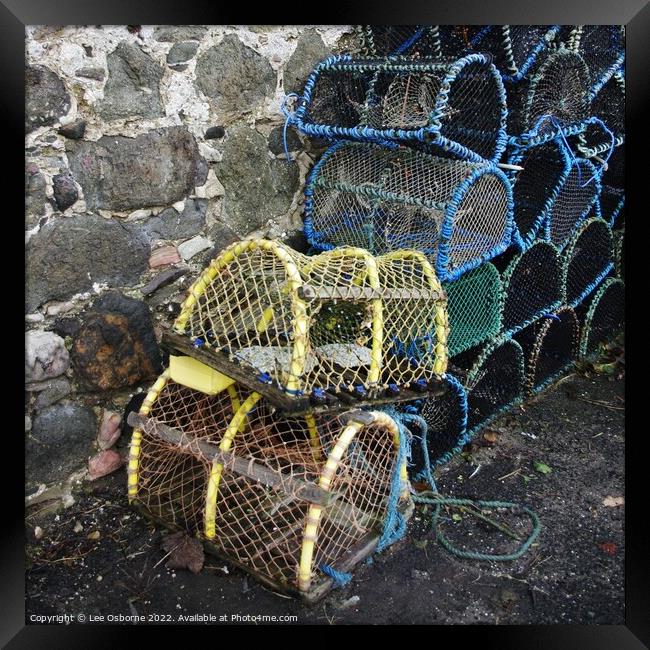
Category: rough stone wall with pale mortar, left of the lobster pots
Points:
column 148, row 149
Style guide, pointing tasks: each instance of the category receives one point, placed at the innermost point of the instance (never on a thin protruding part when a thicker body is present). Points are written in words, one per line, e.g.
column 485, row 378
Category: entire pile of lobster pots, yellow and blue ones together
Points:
column 462, row 258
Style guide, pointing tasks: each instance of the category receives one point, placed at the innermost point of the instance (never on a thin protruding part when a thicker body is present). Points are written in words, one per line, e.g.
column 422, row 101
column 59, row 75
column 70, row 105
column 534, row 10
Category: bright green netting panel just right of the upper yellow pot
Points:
column 474, row 308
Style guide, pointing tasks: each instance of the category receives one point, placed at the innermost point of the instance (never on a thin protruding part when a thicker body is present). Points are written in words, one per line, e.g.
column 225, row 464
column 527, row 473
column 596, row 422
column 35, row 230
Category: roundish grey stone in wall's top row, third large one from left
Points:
column 234, row 75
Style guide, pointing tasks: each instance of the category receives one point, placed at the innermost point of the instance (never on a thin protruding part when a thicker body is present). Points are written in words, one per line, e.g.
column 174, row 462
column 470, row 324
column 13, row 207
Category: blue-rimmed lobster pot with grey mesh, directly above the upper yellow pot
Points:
column 457, row 213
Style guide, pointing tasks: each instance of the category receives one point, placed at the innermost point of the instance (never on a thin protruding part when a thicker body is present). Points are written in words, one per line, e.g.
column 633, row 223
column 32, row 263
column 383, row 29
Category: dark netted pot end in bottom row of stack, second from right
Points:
column 550, row 345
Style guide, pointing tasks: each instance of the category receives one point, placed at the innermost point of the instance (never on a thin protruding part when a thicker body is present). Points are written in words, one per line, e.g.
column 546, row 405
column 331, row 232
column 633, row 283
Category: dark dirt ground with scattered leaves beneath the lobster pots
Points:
column 99, row 558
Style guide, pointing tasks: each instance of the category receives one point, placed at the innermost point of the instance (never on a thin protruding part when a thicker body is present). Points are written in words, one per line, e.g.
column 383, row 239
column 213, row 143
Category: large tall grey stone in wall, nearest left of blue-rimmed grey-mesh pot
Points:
column 258, row 187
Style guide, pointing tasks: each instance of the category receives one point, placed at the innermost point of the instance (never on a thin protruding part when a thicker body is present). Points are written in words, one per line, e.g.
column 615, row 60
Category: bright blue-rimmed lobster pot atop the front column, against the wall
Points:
column 462, row 101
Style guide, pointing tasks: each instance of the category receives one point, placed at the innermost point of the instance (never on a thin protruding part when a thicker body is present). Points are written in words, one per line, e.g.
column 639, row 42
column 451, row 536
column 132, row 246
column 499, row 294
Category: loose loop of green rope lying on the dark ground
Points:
column 470, row 506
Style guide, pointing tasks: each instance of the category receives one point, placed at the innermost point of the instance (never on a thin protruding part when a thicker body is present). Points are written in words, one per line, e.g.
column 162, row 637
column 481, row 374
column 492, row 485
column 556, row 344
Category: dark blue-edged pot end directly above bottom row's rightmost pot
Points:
column 587, row 260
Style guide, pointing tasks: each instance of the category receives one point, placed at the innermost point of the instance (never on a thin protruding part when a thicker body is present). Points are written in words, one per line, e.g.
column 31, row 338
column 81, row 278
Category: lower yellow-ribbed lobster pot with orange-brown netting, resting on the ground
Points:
column 290, row 500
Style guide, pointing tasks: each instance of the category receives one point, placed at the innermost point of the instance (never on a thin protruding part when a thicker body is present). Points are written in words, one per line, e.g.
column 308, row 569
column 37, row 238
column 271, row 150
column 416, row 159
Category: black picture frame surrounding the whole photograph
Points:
column 635, row 14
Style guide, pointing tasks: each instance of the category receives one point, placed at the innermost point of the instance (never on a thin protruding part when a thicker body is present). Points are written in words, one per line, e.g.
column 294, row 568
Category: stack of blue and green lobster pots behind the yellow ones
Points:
column 517, row 227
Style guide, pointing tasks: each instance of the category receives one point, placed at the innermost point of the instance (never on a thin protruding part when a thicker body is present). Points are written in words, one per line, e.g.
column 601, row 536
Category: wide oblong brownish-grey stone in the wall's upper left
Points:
column 119, row 173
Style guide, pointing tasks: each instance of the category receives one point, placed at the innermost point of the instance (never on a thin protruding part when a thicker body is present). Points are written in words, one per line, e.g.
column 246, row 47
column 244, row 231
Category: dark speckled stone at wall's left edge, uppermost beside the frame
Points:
column 46, row 98
